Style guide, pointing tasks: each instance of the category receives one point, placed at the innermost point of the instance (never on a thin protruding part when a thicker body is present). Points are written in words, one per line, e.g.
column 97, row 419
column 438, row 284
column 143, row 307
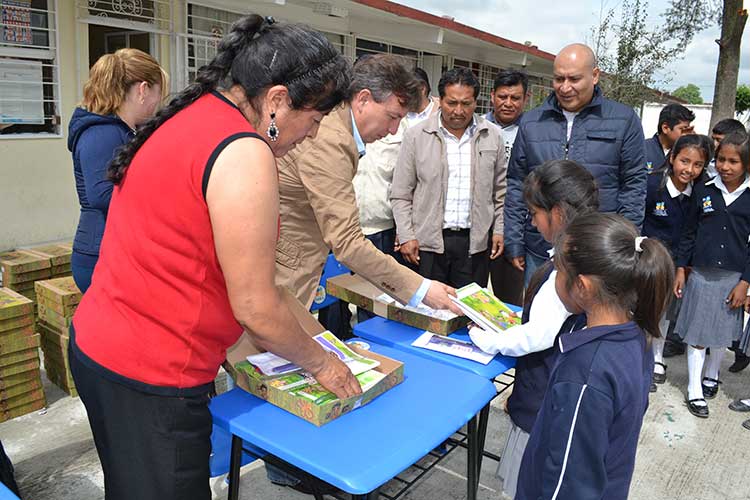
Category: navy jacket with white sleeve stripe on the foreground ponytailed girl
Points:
column 584, row 440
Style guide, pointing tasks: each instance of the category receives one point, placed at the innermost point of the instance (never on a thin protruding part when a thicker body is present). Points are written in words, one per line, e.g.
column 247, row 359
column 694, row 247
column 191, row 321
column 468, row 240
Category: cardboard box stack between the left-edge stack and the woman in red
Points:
column 57, row 300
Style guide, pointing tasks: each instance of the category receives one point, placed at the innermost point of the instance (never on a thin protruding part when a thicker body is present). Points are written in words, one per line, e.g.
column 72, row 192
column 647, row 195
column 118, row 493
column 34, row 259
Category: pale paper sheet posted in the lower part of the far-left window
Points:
column 21, row 92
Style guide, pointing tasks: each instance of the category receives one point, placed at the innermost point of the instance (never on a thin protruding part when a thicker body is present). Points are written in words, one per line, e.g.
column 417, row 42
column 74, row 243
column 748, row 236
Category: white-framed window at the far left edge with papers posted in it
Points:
column 29, row 72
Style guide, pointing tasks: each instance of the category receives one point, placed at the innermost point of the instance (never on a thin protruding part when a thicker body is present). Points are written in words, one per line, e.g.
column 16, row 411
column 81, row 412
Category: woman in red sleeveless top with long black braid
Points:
column 187, row 258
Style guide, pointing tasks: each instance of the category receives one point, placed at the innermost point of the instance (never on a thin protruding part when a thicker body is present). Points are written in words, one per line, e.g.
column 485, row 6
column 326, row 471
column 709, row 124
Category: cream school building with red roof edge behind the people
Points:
column 48, row 46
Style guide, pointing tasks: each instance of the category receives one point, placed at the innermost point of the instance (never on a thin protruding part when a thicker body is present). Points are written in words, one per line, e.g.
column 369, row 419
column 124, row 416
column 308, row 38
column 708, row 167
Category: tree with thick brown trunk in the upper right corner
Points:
column 685, row 18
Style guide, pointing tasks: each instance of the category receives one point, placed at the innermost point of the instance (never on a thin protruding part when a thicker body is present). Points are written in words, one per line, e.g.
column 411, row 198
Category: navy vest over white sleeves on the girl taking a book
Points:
column 532, row 370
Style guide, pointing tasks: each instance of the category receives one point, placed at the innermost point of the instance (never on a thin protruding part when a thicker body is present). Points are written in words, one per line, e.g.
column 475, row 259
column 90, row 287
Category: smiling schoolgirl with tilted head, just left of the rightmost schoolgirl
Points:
column 668, row 195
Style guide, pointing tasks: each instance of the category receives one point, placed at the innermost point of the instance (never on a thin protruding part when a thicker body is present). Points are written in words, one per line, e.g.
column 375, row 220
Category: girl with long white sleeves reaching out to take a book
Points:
column 555, row 192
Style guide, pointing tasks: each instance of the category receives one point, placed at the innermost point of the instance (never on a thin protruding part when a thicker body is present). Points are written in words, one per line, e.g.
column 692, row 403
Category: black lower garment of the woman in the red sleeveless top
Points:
column 150, row 447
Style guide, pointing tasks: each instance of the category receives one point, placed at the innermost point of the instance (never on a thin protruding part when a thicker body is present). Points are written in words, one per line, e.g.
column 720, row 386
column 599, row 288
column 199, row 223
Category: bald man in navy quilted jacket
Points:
column 576, row 122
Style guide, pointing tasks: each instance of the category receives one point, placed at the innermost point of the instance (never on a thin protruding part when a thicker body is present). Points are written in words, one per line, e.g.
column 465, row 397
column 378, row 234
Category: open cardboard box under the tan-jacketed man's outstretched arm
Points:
column 360, row 292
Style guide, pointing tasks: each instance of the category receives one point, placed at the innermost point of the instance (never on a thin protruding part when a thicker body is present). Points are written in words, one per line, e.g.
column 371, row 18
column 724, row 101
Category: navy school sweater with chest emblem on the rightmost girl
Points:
column 714, row 235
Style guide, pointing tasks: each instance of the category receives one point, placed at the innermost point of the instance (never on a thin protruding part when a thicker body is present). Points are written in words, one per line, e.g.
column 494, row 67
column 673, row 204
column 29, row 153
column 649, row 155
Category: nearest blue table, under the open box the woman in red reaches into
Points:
column 360, row 451
